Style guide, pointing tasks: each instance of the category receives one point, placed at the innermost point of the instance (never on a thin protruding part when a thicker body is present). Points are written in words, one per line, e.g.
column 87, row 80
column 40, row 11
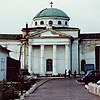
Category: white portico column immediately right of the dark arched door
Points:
column 54, row 60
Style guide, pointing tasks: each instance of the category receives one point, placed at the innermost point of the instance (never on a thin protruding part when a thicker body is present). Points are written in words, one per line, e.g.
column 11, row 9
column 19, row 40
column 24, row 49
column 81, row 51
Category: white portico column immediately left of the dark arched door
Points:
column 42, row 72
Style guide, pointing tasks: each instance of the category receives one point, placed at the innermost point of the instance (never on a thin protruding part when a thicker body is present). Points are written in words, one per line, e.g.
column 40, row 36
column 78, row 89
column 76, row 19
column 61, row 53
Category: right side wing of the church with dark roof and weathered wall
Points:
column 89, row 50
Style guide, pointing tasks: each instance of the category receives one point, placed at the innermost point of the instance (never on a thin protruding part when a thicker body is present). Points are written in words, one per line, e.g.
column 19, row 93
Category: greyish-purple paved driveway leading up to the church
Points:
column 62, row 89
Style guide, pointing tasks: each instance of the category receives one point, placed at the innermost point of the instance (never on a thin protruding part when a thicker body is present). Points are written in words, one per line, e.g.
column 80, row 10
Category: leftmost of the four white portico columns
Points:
column 30, row 59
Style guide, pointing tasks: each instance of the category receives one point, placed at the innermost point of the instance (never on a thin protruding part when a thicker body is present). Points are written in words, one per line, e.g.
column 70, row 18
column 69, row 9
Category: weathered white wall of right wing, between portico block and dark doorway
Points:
column 87, row 52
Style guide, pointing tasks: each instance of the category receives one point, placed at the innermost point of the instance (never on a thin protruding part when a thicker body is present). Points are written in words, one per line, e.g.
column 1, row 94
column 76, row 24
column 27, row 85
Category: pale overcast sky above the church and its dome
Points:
column 84, row 14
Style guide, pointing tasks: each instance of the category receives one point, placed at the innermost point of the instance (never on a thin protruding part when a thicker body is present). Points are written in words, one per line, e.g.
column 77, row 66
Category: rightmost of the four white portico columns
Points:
column 67, row 57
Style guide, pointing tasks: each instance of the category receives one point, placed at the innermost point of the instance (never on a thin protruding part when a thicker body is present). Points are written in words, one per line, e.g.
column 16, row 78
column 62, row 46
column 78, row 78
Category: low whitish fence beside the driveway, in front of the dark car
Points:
column 94, row 88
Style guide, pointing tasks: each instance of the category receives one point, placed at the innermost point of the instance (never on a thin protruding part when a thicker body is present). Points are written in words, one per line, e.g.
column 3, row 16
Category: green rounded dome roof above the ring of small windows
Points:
column 51, row 12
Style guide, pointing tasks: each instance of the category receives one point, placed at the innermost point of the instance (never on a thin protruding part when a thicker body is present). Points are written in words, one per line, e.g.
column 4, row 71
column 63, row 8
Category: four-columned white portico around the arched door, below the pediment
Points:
column 48, row 63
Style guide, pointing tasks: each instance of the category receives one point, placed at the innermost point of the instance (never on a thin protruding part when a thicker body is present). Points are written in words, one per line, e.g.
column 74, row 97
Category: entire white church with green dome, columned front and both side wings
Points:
column 50, row 46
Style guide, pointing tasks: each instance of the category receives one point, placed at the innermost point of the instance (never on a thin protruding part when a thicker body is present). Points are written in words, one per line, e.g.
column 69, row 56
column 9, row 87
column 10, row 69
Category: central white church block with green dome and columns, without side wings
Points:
column 53, row 46
